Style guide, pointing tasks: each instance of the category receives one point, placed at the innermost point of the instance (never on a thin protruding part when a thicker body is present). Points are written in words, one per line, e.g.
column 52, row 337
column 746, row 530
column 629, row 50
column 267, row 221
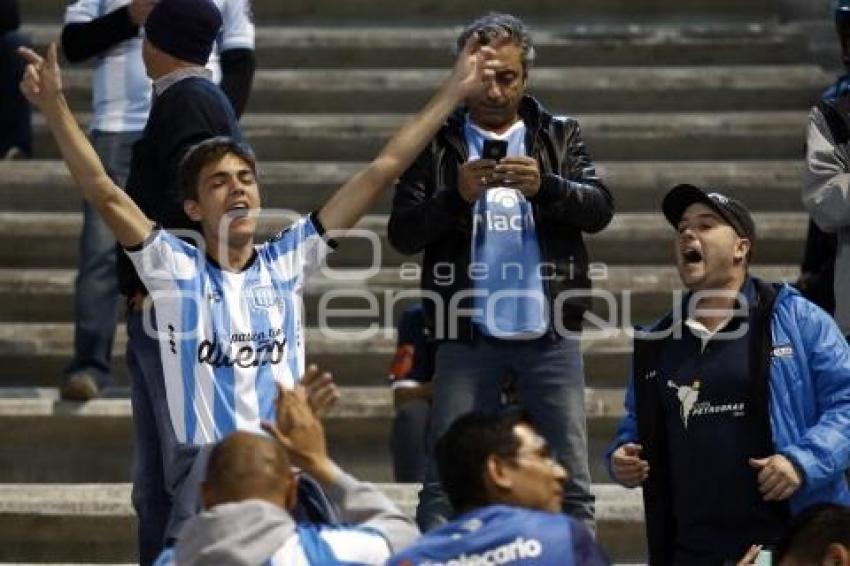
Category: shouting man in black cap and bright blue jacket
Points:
column 738, row 407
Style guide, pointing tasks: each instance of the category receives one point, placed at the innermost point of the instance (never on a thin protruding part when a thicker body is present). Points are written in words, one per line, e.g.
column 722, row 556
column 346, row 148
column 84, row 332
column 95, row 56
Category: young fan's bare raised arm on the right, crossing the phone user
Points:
column 358, row 194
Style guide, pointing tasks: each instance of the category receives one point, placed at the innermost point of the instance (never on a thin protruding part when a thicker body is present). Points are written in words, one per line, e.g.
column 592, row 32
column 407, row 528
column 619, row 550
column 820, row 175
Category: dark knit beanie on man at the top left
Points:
column 185, row 29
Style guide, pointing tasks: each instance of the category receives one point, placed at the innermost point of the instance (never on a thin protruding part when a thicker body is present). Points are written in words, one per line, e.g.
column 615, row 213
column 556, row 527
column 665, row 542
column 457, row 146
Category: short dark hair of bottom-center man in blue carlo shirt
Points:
column 461, row 454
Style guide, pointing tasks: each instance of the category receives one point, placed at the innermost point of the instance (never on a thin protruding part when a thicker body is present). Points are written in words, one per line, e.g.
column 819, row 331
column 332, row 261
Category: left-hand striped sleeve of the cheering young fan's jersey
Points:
column 163, row 259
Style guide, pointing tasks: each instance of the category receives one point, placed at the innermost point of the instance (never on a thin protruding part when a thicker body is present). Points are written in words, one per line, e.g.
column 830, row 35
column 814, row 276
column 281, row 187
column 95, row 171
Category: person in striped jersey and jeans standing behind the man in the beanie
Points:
column 109, row 32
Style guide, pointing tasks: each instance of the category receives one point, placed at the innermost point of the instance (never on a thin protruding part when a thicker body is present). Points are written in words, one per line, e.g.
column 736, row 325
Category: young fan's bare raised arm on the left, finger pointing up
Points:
column 42, row 85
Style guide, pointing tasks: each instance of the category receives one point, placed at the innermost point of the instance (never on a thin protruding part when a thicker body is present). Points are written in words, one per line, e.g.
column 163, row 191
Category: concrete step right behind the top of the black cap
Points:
column 765, row 185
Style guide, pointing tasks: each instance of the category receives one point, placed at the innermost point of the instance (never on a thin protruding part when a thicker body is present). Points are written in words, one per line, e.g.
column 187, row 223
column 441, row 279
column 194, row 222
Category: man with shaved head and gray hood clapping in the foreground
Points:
column 250, row 490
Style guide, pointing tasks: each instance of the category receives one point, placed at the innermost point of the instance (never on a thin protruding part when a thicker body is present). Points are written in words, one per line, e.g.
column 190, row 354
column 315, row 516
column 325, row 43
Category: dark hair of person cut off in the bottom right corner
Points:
column 811, row 532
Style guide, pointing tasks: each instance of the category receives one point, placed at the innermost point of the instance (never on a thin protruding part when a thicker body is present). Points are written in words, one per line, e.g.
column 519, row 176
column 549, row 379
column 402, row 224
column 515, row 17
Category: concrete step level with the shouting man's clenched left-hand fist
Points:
column 81, row 442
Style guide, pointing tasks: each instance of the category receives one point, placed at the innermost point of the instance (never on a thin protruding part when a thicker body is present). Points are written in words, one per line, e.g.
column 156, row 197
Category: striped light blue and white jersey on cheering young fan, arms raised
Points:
column 226, row 339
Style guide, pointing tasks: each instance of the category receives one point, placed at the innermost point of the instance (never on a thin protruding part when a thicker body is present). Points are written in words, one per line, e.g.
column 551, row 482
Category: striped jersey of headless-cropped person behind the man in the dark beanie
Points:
column 121, row 90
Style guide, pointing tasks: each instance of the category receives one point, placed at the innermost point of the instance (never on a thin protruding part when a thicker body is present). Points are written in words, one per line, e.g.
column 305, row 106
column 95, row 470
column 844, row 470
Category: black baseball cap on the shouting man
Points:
column 731, row 210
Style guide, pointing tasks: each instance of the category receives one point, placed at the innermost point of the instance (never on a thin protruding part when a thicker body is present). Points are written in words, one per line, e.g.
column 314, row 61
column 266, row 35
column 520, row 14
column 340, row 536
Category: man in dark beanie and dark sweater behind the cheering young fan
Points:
column 187, row 108
